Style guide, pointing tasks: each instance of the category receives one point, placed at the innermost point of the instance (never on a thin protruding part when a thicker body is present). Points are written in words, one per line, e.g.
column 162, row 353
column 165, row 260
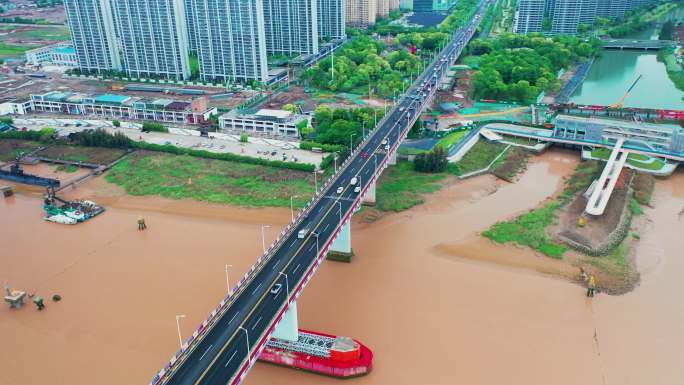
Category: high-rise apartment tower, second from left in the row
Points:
column 152, row 38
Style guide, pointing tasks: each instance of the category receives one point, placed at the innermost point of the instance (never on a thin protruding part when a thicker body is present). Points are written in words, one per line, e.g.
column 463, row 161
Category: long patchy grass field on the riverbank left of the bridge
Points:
column 215, row 181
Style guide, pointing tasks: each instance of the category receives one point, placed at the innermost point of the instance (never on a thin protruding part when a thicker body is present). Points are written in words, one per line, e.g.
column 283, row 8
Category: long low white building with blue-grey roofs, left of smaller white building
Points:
column 112, row 106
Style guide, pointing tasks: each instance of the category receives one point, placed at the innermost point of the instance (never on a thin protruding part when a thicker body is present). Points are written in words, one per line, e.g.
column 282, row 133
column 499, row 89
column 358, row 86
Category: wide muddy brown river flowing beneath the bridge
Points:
column 436, row 303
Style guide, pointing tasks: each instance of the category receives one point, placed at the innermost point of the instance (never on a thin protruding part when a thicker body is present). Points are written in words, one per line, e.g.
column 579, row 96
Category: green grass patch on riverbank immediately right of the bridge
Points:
column 401, row 187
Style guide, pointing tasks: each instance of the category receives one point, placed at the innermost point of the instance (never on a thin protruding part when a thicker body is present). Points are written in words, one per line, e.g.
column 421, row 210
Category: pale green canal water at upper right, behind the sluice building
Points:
column 615, row 71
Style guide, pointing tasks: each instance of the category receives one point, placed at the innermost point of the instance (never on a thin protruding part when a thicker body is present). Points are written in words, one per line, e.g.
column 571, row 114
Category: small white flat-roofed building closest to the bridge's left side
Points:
column 265, row 122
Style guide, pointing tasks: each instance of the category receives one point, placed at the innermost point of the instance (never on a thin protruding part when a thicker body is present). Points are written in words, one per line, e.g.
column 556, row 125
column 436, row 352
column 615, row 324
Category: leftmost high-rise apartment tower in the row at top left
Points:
column 92, row 31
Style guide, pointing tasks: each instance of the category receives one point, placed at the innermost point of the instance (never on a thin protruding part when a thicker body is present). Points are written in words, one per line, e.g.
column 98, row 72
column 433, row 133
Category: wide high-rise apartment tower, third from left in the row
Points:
column 231, row 40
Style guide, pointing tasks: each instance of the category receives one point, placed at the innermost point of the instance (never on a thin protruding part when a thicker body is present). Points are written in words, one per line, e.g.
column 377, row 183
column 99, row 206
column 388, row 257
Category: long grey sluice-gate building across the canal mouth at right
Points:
column 647, row 136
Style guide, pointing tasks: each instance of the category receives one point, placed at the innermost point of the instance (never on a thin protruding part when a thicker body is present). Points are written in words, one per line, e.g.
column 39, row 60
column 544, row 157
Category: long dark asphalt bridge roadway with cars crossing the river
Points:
column 231, row 345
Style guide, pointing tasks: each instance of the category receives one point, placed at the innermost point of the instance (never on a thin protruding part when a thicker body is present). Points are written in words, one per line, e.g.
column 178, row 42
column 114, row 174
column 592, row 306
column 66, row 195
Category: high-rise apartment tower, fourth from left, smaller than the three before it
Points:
column 291, row 26
